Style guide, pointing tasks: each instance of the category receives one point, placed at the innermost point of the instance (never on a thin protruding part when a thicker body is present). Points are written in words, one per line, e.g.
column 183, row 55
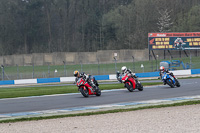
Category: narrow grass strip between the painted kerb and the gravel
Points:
column 102, row 112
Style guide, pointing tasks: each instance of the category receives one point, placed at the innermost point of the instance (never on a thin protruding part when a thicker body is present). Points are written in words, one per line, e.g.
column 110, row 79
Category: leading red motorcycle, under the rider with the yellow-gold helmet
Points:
column 86, row 89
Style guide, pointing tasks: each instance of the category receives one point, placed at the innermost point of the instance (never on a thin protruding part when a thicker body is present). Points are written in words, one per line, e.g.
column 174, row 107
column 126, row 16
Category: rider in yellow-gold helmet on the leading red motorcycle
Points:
column 87, row 78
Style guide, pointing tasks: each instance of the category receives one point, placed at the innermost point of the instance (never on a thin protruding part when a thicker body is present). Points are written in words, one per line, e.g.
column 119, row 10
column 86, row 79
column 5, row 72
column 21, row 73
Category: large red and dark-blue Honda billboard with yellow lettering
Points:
column 174, row 41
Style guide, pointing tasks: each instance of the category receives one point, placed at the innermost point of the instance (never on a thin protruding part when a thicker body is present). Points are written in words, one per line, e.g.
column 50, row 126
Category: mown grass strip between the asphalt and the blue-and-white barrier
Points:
column 50, row 90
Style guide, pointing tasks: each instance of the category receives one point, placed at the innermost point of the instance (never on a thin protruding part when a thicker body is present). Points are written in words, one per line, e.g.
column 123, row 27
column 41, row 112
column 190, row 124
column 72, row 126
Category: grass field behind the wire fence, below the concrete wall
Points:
column 28, row 72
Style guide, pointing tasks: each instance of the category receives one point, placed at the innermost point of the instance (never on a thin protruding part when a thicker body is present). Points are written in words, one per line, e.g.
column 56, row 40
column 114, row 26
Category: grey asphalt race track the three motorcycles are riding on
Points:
column 189, row 87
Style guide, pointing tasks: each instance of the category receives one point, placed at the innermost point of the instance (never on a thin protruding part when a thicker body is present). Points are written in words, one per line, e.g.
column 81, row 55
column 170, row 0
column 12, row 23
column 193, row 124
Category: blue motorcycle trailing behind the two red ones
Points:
column 170, row 79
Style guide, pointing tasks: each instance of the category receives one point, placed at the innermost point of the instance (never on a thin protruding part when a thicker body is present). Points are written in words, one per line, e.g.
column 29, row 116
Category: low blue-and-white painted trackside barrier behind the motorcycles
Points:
column 97, row 77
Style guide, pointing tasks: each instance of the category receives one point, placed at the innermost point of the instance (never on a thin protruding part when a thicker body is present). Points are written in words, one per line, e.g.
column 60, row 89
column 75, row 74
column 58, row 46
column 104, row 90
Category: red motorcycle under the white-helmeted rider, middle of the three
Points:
column 131, row 83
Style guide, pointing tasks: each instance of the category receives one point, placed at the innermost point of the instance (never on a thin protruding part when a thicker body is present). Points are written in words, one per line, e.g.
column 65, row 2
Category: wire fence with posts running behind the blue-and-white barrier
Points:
column 98, row 68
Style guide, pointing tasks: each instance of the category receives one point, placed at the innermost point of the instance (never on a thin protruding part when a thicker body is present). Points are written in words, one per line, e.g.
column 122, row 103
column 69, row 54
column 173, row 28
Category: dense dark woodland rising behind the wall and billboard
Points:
column 45, row 26
